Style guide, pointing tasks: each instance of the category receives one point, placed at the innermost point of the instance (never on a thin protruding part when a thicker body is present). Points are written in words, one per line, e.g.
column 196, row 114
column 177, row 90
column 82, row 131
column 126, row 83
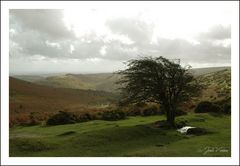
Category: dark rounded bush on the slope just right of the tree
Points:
column 206, row 106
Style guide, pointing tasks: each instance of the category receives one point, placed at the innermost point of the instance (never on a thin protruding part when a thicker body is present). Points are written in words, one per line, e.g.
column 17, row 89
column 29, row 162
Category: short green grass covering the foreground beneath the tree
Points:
column 134, row 136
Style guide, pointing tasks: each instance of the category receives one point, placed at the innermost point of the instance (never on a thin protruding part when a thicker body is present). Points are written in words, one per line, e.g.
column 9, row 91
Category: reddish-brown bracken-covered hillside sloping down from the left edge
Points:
column 26, row 97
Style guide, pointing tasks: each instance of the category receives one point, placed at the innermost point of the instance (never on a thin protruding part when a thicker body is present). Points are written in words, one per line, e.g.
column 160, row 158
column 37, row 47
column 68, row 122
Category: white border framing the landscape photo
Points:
column 6, row 160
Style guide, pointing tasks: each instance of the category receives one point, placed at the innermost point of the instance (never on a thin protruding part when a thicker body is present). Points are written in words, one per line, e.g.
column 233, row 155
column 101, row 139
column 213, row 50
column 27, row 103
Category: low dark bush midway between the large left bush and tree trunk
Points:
column 113, row 115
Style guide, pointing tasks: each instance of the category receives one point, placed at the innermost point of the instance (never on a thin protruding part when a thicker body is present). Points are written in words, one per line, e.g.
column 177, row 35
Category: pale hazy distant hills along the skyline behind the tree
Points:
column 102, row 81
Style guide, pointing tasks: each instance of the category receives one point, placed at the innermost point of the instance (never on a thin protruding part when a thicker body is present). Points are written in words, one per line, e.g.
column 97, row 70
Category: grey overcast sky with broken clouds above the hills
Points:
column 89, row 39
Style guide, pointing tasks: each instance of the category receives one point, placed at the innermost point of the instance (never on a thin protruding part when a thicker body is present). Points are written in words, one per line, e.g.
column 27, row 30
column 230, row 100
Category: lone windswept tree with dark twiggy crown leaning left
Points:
column 157, row 80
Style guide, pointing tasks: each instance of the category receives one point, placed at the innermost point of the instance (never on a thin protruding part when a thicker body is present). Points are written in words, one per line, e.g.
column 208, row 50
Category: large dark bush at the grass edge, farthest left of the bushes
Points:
column 62, row 117
